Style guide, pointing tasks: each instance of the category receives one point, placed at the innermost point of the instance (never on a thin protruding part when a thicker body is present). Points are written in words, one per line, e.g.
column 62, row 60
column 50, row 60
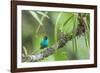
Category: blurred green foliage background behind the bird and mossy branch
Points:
column 37, row 24
